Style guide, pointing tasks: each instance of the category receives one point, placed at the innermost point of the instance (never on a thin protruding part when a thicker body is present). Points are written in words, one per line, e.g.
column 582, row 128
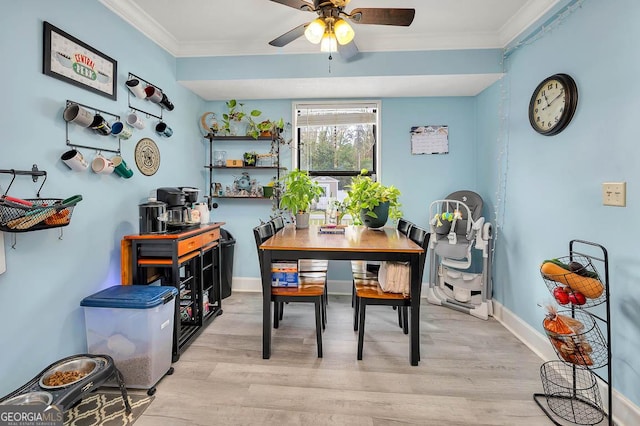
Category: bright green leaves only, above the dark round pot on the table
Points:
column 366, row 194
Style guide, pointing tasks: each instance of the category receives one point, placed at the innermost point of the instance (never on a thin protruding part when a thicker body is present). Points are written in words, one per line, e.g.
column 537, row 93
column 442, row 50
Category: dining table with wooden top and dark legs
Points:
column 356, row 243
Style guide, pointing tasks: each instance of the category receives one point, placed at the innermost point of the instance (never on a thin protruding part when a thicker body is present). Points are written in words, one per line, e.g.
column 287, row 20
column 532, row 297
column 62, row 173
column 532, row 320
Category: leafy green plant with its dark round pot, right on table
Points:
column 372, row 203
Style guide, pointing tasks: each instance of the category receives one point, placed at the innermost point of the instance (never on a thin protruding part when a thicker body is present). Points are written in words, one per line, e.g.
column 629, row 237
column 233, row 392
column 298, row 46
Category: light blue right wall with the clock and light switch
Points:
column 549, row 188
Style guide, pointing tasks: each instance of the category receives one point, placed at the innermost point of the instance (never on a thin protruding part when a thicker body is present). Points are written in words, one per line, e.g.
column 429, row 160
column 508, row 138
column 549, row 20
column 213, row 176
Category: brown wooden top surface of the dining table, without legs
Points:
column 356, row 238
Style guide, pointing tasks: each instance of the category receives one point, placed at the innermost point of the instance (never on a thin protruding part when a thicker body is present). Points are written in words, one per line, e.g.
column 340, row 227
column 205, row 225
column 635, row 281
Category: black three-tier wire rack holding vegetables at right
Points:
column 570, row 385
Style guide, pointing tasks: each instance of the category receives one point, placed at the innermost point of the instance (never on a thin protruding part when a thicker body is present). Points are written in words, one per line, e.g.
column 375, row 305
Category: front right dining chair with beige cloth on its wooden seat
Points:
column 369, row 292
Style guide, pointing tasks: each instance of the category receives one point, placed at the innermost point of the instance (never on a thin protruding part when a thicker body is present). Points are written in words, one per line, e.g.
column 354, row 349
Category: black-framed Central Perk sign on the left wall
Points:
column 68, row 59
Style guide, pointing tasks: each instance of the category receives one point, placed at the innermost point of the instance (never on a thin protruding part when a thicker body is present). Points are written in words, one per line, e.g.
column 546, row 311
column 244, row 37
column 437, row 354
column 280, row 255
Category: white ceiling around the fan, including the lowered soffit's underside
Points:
column 197, row 28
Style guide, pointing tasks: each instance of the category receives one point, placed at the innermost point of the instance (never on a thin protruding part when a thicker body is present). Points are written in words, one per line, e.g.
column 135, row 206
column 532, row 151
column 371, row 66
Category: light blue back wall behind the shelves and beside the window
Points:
column 421, row 178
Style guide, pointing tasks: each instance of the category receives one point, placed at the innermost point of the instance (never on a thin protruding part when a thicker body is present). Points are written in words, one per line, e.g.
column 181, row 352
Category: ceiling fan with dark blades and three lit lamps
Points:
column 332, row 31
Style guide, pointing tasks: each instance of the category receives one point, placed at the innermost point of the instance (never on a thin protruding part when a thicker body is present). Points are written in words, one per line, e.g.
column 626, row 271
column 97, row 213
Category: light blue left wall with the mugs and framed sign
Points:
column 46, row 278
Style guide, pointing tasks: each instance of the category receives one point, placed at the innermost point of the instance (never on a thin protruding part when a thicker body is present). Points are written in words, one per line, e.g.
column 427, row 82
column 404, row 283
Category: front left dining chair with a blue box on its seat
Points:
column 309, row 289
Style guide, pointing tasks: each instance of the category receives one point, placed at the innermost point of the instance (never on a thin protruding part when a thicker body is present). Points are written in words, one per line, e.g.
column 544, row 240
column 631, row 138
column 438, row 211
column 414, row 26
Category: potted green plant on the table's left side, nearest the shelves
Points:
column 298, row 194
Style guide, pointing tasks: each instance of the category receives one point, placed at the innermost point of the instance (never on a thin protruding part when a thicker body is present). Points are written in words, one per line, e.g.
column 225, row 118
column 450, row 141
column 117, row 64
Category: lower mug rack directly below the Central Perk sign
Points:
column 77, row 113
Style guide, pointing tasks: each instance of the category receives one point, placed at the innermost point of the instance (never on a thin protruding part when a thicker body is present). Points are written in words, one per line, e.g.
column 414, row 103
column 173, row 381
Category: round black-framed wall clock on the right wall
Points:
column 553, row 104
